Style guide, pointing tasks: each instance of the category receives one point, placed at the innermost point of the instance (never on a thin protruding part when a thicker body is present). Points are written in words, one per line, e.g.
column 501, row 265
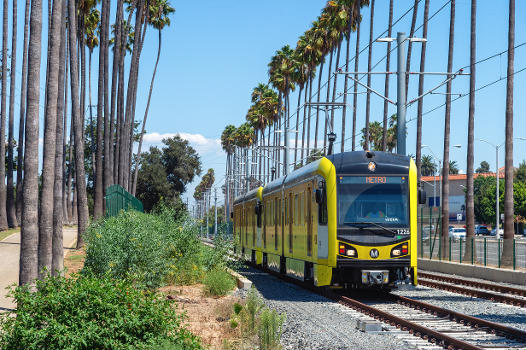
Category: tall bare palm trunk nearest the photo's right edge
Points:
column 507, row 252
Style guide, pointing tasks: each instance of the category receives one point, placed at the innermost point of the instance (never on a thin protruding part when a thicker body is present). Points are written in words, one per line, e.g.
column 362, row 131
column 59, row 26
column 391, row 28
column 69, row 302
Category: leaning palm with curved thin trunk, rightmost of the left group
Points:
column 160, row 11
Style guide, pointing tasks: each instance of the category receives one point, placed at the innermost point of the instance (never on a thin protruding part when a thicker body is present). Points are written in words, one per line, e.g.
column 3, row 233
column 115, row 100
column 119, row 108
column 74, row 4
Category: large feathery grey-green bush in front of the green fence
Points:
column 142, row 247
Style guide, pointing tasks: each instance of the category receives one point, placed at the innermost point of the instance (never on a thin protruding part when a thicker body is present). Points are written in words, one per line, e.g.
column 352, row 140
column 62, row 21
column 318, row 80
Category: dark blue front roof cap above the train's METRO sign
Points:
column 357, row 162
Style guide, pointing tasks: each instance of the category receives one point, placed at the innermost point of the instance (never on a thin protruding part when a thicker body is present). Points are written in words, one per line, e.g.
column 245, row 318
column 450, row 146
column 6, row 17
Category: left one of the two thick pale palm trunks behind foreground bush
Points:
column 28, row 272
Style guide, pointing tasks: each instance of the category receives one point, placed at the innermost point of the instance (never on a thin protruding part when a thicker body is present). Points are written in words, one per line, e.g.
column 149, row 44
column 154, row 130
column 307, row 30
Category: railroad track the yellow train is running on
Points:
column 422, row 325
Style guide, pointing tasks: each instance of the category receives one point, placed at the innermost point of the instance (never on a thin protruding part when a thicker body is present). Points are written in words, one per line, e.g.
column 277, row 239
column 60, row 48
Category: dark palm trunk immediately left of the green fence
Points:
column 99, row 170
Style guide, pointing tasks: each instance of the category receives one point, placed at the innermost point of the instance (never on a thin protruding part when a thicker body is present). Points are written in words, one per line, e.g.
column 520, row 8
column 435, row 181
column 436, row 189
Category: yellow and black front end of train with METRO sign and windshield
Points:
column 376, row 201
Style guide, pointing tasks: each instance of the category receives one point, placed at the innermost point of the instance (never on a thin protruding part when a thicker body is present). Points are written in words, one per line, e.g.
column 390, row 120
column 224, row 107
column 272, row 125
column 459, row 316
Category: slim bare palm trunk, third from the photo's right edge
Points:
column 447, row 118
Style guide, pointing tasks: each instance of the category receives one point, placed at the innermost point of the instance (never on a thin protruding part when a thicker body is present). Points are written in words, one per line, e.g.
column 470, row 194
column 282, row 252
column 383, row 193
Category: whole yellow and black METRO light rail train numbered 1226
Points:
column 347, row 220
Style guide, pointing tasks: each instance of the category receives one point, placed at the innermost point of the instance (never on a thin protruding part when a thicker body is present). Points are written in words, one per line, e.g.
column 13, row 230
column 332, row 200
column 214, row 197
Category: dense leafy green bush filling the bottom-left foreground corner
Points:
column 85, row 312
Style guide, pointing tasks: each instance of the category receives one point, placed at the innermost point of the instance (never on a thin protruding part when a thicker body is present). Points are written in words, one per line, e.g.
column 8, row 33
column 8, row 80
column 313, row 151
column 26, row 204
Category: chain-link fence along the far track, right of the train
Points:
column 479, row 250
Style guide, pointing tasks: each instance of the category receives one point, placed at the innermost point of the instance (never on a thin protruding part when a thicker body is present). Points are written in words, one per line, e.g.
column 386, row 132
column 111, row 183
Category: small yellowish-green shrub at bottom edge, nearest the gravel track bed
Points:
column 270, row 329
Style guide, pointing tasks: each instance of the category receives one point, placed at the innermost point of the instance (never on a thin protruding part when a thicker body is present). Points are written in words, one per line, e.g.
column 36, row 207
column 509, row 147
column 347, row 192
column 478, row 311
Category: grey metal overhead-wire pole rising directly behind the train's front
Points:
column 401, row 96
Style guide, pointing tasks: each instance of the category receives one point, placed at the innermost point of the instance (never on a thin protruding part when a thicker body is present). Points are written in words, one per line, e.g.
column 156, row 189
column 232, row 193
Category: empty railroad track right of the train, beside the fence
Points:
column 485, row 290
